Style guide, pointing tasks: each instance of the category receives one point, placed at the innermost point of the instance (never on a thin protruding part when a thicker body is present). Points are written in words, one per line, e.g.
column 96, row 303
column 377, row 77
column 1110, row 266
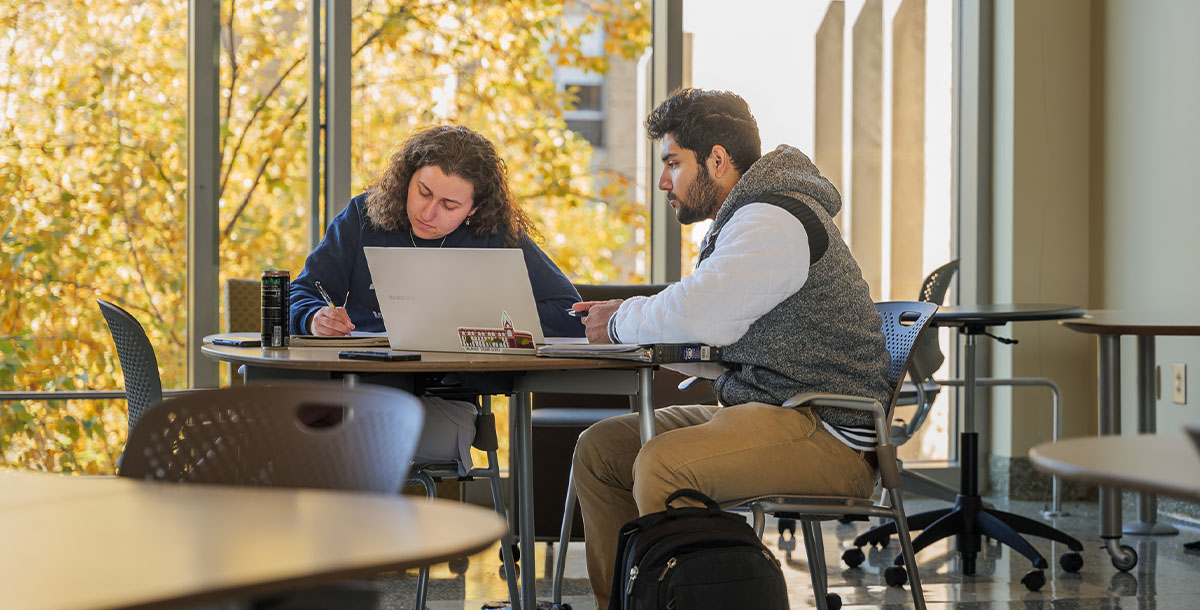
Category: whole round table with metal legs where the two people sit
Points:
column 515, row 375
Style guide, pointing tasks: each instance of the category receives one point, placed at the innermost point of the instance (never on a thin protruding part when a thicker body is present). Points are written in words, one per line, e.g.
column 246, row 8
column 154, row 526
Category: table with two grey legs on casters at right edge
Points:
column 1109, row 326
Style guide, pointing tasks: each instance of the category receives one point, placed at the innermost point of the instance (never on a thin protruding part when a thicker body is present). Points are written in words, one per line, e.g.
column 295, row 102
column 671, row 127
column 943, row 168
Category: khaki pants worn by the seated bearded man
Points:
column 731, row 453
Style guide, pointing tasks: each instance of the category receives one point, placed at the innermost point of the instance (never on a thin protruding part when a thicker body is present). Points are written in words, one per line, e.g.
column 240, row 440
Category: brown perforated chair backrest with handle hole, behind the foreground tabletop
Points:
column 308, row 435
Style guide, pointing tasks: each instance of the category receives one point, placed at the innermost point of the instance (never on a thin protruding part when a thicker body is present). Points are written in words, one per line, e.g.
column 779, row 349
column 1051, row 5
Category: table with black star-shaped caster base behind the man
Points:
column 969, row 519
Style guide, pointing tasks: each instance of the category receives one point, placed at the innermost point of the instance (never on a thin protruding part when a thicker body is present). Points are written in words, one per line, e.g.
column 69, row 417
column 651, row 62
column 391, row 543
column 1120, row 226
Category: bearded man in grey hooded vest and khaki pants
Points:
column 777, row 289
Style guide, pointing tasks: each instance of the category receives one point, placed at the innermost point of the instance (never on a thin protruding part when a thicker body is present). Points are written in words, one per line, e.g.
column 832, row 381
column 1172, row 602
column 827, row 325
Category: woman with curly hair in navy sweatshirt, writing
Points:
column 446, row 188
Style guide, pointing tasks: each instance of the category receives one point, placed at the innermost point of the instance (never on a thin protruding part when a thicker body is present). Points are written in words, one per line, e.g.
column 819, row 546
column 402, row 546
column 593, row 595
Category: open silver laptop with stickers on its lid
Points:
column 455, row 300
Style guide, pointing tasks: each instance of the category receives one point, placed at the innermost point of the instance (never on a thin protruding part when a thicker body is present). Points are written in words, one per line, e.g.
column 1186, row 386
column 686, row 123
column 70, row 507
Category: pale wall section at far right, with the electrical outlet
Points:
column 1149, row 186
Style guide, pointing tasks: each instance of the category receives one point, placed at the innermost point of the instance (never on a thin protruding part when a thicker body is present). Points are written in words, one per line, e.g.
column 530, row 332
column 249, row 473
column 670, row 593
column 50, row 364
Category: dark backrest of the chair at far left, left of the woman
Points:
column 143, row 387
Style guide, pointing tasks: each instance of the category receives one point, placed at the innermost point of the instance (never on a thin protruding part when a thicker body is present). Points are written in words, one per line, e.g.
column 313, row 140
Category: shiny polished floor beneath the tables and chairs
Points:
column 1167, row 576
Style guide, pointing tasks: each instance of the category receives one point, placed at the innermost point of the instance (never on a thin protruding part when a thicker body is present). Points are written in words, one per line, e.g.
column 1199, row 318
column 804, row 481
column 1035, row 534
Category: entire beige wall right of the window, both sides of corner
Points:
column 1097, row 157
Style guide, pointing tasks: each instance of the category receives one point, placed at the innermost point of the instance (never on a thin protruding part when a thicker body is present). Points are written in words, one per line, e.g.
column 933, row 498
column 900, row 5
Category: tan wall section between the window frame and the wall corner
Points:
column 1042, row 206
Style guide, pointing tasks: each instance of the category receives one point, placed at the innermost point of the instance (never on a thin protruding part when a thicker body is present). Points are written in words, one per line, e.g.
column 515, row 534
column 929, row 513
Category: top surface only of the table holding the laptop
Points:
column 326, row 360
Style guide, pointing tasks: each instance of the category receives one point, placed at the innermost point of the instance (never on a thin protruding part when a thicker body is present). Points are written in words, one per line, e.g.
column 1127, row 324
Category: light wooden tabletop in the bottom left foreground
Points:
column 101, row 542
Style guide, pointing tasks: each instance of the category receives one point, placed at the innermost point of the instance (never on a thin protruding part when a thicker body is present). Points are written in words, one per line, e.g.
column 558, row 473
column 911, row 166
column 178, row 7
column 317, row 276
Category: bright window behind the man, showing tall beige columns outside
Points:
column 865, row 89
